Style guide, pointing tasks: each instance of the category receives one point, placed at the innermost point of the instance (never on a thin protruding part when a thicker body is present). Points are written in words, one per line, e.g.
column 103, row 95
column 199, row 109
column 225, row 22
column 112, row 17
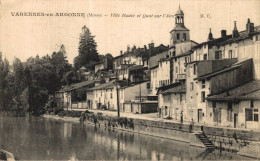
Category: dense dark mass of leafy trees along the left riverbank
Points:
column 27, row 85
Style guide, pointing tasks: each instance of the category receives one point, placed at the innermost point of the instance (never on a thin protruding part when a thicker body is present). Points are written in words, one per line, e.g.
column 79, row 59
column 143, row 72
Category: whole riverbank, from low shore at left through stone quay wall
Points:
column 243, row 142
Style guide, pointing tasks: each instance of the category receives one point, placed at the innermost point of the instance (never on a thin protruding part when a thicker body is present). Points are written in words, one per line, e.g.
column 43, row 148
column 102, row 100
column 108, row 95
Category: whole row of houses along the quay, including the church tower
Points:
column 215, row 82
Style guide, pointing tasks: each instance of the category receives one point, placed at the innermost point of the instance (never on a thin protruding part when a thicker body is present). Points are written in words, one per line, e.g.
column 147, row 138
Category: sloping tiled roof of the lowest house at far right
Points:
column 245, row 92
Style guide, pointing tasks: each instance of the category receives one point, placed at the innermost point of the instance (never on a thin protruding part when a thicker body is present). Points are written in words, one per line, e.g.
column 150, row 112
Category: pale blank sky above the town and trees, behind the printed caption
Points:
column 25, row 36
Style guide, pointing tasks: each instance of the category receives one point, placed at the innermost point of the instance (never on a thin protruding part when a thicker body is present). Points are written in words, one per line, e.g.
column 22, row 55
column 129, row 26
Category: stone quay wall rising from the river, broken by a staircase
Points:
column 226, row 139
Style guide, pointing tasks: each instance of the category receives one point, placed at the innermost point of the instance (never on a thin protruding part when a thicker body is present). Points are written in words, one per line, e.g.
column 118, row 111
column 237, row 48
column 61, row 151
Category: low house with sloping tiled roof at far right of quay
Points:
column 237, row 108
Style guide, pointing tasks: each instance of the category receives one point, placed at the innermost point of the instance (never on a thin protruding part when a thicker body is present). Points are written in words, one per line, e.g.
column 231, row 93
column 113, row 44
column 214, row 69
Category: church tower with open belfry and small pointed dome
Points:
column 180, row 33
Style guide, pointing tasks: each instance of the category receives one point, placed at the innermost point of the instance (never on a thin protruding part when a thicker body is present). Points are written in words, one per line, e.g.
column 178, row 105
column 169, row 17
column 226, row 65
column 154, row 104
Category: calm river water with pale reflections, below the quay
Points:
column 47, row 139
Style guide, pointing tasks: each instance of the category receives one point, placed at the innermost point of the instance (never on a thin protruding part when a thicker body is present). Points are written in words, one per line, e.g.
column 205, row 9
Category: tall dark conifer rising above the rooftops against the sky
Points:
column 87, row 49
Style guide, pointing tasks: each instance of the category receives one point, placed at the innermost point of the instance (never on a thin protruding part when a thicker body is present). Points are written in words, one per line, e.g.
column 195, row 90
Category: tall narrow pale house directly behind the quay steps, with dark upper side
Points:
column 198, row 89
